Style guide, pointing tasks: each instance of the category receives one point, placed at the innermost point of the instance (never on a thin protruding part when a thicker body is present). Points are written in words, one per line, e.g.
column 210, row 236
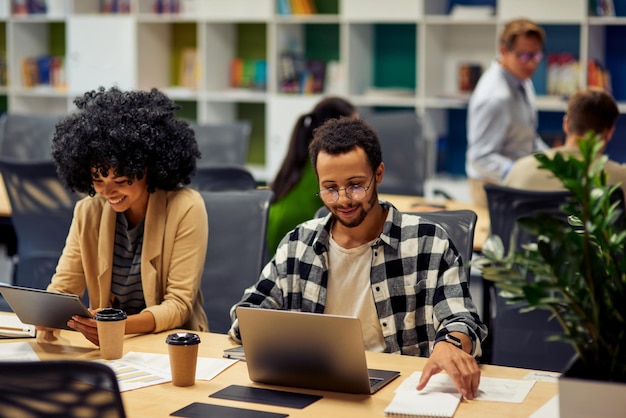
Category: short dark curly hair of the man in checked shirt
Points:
column 339, row 136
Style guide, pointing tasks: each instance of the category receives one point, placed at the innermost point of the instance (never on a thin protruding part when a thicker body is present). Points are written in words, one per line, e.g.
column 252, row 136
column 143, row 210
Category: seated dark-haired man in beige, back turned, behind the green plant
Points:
column 587, row 110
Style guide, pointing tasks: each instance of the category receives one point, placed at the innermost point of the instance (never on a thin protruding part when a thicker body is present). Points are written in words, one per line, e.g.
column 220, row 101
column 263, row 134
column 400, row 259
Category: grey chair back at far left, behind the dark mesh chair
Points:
column 25, row 137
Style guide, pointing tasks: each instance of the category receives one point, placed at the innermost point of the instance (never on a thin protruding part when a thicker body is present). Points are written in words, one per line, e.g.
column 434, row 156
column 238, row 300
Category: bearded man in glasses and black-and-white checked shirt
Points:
column 398, row 273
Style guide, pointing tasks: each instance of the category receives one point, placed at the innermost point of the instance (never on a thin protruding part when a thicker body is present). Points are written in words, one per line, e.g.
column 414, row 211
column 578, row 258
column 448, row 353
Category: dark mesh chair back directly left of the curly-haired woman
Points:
column 42, row 210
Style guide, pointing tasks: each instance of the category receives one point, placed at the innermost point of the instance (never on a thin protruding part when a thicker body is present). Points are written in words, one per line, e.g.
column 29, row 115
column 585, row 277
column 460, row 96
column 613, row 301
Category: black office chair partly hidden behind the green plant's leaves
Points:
column 519, row 339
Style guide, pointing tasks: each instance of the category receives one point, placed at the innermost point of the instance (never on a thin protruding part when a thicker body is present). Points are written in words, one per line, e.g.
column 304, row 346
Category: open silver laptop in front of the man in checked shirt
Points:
column 308, row 350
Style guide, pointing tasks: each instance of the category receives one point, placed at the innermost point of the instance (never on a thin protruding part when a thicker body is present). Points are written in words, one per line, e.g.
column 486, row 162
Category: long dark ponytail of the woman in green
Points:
column 298, row 153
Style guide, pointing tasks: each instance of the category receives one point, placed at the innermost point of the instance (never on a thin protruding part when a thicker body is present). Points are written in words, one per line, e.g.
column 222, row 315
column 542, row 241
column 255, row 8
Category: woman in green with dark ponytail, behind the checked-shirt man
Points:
column 295, row 184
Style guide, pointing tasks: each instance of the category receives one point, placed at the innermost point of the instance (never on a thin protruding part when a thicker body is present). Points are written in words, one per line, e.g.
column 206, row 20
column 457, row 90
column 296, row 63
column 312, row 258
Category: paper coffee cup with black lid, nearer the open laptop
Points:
column 183, row 352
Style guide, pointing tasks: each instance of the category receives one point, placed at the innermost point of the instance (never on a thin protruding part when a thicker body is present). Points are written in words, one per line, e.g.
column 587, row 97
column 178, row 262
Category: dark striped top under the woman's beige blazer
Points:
column 126, row 279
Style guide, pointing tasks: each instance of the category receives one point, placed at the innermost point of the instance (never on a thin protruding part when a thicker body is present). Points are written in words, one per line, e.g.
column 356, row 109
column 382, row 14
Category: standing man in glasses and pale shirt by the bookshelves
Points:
column 502, row 117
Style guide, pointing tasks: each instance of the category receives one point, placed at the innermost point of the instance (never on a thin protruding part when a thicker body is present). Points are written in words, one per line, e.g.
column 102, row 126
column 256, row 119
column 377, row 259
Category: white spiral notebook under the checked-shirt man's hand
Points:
column 439, row 398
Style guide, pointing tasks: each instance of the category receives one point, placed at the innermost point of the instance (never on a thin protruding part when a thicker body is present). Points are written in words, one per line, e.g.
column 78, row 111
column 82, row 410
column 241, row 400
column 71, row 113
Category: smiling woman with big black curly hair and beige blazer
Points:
column 138, row 241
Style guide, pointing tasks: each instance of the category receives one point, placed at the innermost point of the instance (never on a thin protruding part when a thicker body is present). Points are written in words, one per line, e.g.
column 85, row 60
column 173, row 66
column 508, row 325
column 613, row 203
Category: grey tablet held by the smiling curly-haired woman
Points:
column 43, row 308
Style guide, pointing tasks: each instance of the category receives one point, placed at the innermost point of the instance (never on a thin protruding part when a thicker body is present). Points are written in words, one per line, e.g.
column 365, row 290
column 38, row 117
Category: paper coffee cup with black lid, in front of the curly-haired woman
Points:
column 111, row 329
